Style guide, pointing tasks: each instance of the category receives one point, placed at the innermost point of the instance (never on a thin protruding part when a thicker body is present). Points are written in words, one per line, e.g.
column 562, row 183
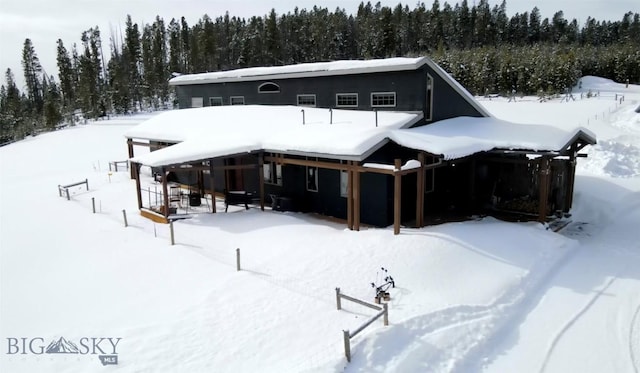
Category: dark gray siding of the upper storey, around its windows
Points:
column 409, row 86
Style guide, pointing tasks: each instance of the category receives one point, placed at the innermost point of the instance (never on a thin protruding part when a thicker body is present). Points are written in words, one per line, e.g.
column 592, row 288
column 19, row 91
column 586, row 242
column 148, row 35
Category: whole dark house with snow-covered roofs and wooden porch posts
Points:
column 380, row 142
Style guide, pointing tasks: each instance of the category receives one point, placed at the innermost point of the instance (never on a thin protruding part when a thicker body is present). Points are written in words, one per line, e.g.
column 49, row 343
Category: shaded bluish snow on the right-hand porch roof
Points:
column 463, row 136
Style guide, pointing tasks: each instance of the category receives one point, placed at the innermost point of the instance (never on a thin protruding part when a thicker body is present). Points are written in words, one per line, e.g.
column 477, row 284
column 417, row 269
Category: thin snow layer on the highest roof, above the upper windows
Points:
column 302, row 70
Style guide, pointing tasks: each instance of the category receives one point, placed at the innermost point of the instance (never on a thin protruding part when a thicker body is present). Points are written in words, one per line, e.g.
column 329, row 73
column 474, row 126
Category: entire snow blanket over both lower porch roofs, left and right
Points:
column 211, row 132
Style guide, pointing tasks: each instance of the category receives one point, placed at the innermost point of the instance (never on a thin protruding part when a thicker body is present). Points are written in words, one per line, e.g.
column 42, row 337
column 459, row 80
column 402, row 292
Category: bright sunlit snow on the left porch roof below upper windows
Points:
column 218, row 131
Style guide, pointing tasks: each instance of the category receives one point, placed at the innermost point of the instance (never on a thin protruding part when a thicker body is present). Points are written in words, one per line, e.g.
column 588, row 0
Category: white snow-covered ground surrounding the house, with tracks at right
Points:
column 475, row 296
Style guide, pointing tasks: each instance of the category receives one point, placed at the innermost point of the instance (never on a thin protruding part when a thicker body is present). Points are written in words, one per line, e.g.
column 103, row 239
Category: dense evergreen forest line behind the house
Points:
column 483, row 48
